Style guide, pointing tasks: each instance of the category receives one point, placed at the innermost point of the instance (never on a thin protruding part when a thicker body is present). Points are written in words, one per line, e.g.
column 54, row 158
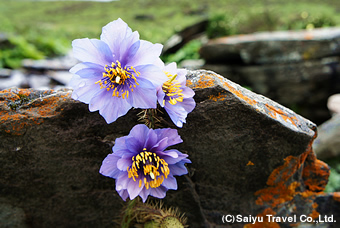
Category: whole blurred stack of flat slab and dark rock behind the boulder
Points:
column 299, row 69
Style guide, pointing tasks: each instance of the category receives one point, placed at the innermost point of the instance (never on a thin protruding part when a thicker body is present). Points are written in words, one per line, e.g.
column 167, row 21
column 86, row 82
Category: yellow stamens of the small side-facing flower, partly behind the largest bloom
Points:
column 172, row 89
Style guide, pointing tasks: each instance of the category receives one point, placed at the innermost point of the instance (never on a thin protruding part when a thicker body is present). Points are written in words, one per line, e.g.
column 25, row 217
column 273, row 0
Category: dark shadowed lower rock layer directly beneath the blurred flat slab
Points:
column 303, row 86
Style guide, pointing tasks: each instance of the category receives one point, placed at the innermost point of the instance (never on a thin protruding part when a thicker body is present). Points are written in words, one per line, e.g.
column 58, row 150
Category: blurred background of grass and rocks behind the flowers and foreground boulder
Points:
column 36, row 36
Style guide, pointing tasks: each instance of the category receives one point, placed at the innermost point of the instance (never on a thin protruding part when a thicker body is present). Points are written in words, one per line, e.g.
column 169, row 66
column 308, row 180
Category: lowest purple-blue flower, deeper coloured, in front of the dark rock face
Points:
column 141, row 165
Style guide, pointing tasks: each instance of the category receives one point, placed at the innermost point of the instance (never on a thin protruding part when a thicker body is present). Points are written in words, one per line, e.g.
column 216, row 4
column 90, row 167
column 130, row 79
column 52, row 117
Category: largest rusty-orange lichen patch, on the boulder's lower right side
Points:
column 282, row 189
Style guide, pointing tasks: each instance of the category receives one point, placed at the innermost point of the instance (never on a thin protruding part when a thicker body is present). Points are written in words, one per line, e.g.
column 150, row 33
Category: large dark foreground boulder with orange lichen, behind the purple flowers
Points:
column 250, row 156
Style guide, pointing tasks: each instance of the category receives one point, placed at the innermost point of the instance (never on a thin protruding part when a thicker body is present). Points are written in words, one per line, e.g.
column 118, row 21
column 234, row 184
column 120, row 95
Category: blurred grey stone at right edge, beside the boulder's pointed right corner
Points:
column 327, row 145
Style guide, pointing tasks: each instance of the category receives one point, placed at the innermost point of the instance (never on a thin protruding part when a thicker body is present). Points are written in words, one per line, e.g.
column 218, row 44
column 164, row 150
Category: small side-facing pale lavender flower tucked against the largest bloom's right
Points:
column 176, row 98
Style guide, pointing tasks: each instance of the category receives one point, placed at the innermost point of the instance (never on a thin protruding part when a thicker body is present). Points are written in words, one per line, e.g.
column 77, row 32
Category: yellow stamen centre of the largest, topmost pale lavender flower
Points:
column 118, row 79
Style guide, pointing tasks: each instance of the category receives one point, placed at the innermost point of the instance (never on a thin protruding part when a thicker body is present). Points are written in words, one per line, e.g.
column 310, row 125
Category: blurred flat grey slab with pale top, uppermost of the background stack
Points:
column 274, row 47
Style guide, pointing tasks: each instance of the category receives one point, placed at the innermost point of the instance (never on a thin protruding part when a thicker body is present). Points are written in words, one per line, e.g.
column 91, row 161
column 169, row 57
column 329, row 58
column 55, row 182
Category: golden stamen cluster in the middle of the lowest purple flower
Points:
column 149, row 165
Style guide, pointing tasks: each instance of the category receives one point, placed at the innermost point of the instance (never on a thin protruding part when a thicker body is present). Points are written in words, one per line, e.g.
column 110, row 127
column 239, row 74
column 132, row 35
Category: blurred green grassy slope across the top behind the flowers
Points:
column 47, row 28
